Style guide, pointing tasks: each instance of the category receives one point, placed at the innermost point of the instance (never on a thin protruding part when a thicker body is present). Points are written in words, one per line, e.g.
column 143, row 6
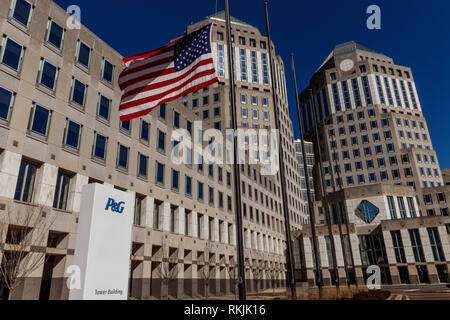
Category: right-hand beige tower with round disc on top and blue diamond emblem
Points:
column 385, row 188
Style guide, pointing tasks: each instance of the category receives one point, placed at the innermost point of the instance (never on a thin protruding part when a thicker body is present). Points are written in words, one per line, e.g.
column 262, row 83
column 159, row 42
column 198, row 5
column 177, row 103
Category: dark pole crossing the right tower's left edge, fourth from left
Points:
column 324, row 191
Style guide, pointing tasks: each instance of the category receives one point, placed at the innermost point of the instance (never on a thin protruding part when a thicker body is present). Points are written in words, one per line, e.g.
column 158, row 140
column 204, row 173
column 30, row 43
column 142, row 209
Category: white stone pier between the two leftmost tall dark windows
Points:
column 45, row 185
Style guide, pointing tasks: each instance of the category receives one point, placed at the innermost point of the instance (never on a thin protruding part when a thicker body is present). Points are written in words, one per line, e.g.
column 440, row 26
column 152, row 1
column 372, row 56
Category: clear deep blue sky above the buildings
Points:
column 415, row 33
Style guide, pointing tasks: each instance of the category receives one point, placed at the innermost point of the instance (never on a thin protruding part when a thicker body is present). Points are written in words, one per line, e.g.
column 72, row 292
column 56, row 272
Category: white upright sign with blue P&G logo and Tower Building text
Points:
column 103, row 244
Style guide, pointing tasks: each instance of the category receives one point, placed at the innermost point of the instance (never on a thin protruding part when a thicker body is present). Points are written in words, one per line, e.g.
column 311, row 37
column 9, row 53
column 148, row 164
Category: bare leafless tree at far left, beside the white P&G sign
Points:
column 21, row 230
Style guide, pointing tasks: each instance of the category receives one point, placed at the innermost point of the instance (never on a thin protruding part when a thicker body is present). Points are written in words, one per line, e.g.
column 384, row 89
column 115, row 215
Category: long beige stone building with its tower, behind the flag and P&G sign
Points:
column 60, row 130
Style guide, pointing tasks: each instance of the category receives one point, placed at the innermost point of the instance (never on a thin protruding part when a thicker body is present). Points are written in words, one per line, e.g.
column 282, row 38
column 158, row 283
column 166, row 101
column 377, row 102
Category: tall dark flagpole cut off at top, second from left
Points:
column 289, row 253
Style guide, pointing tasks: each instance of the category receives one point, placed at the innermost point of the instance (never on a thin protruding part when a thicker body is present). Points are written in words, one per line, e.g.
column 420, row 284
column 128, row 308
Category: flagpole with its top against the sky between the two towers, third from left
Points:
column 308, row 189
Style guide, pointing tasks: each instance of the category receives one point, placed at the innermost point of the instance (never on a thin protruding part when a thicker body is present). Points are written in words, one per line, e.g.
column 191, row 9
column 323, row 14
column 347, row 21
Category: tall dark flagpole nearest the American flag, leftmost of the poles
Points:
column 236, row 172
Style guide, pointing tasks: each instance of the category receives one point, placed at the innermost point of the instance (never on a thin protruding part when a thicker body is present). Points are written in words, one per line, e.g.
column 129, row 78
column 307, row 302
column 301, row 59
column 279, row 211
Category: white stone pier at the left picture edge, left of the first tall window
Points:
column 9, row 170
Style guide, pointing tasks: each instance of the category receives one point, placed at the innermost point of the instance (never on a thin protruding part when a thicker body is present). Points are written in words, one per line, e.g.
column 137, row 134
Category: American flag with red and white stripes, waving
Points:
column 165, row 74
